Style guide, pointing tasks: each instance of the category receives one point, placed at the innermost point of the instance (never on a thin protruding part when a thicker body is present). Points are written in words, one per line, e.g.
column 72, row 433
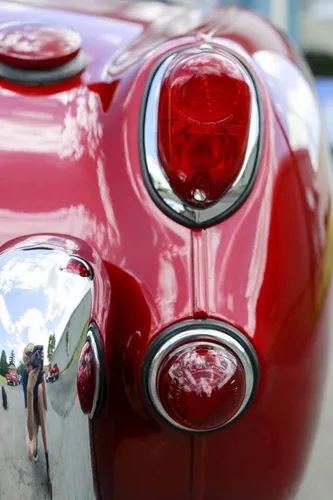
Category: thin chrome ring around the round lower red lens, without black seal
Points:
column 201, row 336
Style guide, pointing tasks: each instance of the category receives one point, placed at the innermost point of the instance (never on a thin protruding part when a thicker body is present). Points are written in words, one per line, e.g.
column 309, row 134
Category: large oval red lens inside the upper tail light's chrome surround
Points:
column 203, row 124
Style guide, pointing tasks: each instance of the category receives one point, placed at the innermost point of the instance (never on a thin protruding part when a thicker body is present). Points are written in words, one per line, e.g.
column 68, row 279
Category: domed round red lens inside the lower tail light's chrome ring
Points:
column 201, row 386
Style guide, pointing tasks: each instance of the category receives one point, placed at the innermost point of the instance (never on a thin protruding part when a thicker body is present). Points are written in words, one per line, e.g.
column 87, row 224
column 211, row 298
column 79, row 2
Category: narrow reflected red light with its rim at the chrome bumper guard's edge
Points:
column 90, row 387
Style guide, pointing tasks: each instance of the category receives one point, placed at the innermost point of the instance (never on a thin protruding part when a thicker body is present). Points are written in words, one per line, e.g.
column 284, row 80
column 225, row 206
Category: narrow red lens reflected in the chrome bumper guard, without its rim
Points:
column 86, row 378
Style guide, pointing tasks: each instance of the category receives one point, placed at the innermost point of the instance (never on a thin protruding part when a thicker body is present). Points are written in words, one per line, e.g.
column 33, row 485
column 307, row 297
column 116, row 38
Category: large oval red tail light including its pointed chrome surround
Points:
column 201, row 135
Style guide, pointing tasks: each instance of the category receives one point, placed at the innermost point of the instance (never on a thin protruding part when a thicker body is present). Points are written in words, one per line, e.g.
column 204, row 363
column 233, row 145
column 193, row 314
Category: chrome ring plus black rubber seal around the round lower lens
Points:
column 203, row 332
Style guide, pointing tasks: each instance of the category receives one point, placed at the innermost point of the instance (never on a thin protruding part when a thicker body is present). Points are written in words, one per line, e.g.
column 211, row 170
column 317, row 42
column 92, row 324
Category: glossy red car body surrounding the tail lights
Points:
column 71, row 169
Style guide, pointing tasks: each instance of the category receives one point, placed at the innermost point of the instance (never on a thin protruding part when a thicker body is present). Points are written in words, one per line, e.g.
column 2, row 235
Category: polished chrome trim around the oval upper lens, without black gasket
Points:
column 156, row 172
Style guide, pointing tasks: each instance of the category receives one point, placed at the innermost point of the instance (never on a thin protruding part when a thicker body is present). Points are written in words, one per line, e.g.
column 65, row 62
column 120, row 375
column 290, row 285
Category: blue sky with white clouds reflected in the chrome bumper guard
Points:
column 36, row 299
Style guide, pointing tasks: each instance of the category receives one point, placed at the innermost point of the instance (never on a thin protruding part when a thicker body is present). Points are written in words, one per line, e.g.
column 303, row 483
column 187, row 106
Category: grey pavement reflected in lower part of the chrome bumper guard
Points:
column 69, row 454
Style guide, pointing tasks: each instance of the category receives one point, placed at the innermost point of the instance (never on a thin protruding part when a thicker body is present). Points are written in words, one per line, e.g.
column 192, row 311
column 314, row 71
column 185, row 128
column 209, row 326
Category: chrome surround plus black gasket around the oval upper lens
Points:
column 155, row 178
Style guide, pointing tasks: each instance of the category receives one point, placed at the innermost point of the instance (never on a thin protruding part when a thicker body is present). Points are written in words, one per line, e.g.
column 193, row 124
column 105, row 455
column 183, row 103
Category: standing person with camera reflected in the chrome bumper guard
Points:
column 35, row 399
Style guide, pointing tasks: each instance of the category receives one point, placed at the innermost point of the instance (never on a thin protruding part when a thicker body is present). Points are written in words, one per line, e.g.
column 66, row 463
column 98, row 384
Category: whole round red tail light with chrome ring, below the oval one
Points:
column 200, row 379
